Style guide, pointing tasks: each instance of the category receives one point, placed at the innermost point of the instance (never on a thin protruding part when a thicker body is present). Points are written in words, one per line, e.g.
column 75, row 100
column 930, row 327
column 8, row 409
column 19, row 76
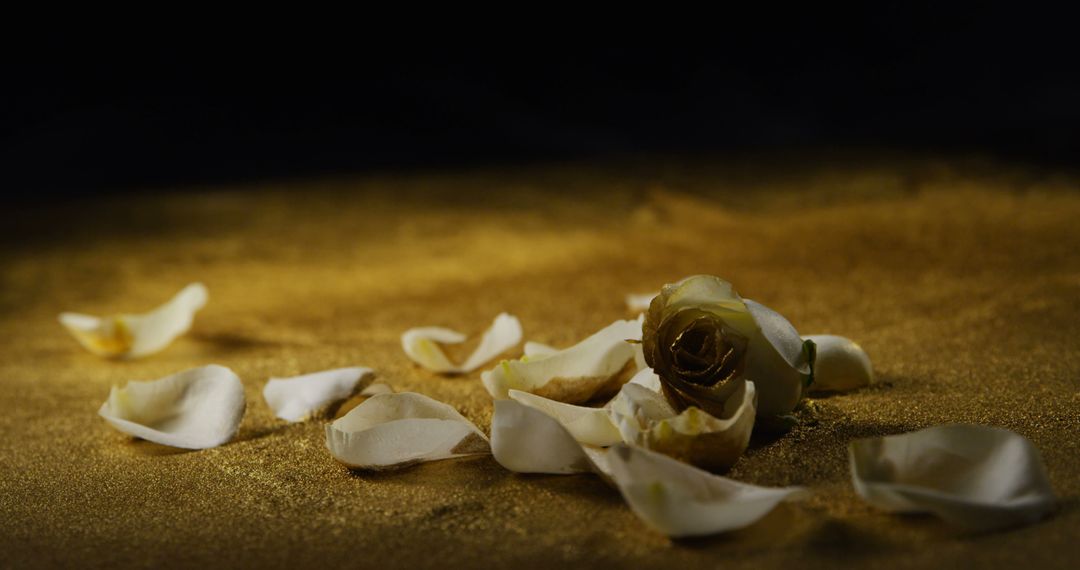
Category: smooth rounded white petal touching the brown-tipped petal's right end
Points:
column 529, row 441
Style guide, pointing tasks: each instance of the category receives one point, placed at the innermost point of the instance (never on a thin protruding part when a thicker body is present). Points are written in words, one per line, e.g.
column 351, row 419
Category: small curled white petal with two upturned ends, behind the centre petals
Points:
column 422, row 345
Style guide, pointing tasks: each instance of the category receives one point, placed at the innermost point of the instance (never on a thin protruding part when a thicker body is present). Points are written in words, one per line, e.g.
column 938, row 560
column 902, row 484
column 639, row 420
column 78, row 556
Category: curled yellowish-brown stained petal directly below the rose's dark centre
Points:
column 645, row 418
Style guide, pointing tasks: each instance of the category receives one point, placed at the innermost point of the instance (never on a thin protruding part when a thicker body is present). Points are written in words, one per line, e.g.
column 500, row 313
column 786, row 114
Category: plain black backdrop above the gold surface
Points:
column 104, row 113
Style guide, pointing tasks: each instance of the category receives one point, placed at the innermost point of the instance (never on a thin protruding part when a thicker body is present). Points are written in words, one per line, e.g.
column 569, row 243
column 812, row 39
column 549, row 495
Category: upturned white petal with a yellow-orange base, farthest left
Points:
column 132, row 336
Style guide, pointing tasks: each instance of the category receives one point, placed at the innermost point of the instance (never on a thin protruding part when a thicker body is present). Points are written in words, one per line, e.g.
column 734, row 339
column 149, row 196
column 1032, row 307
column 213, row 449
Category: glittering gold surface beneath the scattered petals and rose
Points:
column 962, row 280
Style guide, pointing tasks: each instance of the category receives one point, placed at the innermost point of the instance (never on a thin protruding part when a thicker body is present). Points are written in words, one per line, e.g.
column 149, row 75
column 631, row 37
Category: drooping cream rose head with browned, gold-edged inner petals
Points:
column 701, row 338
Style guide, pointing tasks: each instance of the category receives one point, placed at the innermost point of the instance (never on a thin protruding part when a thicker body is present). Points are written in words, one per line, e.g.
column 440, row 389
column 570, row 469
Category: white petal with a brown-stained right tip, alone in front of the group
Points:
column 391, row 431
